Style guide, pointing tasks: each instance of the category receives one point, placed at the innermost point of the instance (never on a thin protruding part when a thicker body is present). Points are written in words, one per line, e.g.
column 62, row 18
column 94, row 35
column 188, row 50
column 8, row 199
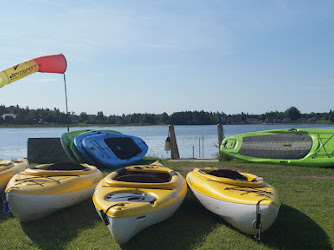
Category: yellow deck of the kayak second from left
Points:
column 40, row 181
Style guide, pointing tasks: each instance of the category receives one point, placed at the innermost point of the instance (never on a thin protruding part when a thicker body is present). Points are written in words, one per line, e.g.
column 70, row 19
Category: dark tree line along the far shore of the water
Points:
column 15, row 115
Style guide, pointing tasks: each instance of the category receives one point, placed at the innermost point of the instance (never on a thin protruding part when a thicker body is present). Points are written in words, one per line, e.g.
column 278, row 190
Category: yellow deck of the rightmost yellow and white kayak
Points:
column 237, row 191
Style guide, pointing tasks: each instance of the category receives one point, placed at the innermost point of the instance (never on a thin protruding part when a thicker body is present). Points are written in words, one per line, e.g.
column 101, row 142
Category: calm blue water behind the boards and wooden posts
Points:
column 193, row 141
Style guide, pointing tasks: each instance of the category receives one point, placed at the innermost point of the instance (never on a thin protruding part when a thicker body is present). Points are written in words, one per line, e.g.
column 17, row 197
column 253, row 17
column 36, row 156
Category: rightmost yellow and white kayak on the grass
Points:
column 244, row 200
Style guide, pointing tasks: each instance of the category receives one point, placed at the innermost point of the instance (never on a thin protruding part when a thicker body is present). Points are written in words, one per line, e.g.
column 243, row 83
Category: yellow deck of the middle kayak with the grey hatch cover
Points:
column 165, row 193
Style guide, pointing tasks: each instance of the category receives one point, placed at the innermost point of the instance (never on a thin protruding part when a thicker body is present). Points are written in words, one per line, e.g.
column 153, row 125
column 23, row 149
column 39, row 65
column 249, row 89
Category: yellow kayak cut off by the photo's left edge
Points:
column 8, row 169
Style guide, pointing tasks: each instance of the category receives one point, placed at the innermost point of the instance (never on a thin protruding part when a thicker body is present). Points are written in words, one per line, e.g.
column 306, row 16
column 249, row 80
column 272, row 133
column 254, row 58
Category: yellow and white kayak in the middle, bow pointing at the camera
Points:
column 132, row 198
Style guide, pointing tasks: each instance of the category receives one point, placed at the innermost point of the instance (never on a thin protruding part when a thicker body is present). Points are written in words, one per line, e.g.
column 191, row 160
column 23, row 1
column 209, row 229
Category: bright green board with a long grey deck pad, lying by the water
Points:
column 302, row 147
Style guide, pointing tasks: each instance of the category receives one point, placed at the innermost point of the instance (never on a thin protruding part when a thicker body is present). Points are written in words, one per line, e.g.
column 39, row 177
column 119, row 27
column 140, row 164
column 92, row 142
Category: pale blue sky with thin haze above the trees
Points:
column 146, row 56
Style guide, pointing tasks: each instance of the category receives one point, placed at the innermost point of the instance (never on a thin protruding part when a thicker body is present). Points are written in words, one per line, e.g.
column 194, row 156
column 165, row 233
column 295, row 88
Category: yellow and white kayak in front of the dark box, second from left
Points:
column 37, row 192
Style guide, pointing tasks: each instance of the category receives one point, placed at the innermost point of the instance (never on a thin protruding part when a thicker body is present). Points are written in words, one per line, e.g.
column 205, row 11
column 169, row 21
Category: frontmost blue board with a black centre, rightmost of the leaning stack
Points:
column 114, row 150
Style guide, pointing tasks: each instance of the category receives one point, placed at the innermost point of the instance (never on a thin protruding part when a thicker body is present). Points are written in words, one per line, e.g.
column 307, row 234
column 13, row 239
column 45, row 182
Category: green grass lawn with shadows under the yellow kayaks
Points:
column 305, row 220
